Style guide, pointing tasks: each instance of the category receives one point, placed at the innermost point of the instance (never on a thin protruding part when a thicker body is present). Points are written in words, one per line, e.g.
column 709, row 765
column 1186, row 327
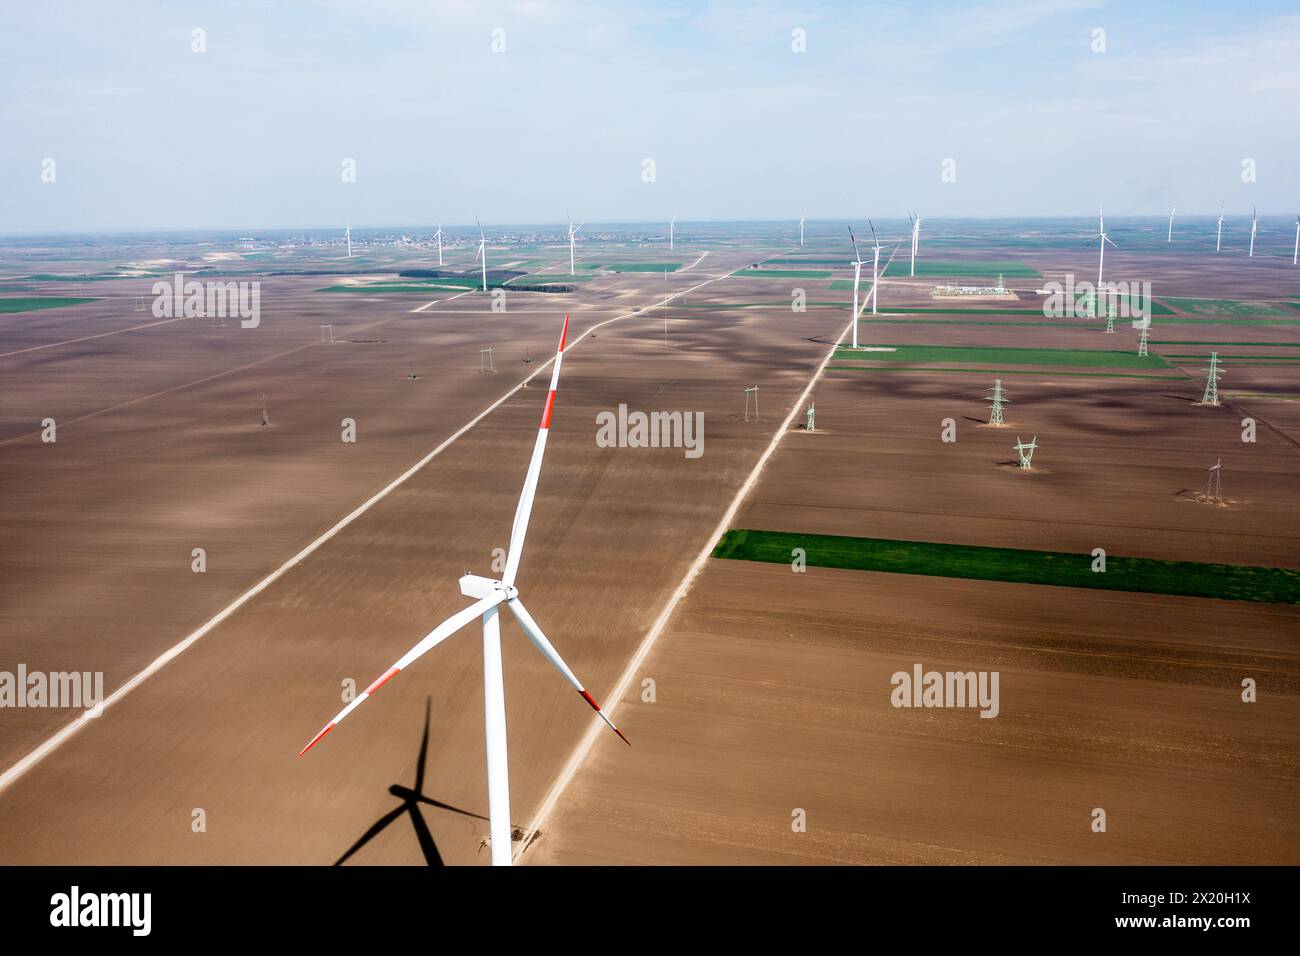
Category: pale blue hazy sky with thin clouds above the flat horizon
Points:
column 1024, row 103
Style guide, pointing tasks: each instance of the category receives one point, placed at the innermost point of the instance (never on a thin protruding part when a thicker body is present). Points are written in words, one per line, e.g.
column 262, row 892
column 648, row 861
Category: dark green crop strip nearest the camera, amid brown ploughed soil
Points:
column 1017, row 566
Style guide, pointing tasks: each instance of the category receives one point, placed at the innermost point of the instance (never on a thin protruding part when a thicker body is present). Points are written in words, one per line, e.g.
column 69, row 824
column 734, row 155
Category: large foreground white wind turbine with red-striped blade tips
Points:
column 489, row 596
